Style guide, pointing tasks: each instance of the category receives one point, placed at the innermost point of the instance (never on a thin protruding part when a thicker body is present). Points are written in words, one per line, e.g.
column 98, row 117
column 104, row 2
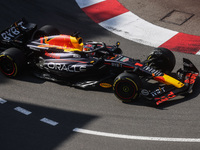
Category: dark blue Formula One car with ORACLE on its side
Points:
column 65, row 58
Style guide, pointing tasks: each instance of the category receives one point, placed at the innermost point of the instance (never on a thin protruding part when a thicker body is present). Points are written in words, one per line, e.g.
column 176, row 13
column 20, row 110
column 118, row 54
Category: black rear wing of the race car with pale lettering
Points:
column 17, row 29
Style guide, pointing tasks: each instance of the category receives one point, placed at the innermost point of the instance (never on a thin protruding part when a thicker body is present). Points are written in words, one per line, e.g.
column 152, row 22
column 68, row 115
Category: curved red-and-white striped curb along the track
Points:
column 113, row 16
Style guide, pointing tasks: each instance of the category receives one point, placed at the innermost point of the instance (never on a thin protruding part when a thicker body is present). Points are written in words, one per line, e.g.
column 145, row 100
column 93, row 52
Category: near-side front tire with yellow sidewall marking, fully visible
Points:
column 127, row 87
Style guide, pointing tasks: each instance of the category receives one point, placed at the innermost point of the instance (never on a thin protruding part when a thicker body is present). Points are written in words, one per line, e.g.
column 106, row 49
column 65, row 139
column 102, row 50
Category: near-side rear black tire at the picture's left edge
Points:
column 12, row 61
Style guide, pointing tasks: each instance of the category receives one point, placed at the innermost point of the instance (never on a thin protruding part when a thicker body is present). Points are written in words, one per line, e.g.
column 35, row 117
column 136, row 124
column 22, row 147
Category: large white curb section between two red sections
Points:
column 132, row 27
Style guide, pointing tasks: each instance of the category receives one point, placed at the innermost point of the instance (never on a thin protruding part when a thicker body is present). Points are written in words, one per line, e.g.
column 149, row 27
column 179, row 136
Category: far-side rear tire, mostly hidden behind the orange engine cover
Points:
column 46, row 30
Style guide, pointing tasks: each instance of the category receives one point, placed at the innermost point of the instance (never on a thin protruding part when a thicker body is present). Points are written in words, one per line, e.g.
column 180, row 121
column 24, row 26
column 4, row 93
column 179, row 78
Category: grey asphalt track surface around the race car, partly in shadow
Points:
column 30, row 100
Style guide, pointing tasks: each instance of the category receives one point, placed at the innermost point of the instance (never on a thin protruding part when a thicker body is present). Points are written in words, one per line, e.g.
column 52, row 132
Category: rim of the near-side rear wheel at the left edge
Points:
column 7, row 66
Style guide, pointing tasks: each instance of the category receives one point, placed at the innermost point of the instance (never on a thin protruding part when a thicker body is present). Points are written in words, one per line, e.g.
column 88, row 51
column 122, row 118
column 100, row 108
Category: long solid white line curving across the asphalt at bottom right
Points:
column 132, row 137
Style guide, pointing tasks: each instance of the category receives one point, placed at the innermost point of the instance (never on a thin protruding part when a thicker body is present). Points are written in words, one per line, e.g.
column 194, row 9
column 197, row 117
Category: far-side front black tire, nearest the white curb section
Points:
column 162, row 59
